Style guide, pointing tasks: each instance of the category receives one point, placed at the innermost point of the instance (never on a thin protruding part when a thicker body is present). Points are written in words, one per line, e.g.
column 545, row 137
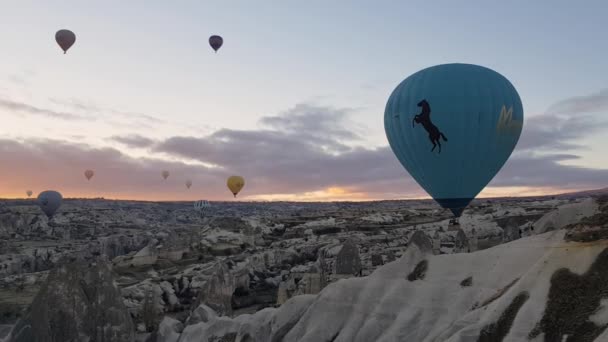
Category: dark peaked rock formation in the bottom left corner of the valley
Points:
column 79, row 301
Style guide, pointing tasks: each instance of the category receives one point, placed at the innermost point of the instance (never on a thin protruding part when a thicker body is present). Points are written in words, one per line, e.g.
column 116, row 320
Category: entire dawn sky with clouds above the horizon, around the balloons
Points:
column 294, row 100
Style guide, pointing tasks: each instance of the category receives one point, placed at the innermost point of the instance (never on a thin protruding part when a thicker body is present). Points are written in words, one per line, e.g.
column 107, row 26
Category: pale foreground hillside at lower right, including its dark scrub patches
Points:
column 538, row 288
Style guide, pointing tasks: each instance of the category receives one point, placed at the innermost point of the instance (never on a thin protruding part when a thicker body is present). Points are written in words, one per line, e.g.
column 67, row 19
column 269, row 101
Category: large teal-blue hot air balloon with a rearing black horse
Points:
column 453, row 126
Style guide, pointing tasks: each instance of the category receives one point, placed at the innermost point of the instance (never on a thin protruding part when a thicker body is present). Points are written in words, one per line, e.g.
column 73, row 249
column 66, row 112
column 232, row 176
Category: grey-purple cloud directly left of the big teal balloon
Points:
column 297, row 155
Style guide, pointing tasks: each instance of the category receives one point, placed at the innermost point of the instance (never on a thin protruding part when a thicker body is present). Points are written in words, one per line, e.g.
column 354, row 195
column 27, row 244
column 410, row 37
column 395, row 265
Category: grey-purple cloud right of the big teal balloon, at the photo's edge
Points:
column 537, row 159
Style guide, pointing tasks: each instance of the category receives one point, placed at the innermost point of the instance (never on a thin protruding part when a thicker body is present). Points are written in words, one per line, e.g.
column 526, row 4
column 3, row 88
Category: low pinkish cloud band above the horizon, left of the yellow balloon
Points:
column 54, row 164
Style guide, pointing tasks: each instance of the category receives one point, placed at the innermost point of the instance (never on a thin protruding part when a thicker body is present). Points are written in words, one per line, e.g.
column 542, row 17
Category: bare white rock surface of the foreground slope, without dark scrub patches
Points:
column 386, row 306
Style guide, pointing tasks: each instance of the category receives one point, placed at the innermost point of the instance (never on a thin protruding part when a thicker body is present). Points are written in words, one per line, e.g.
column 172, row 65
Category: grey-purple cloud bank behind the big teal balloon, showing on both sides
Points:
column 298, row 154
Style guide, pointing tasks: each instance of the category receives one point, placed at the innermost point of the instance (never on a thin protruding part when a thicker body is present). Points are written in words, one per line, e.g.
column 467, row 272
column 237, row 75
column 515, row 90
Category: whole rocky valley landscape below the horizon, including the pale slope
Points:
column 104, row 270
